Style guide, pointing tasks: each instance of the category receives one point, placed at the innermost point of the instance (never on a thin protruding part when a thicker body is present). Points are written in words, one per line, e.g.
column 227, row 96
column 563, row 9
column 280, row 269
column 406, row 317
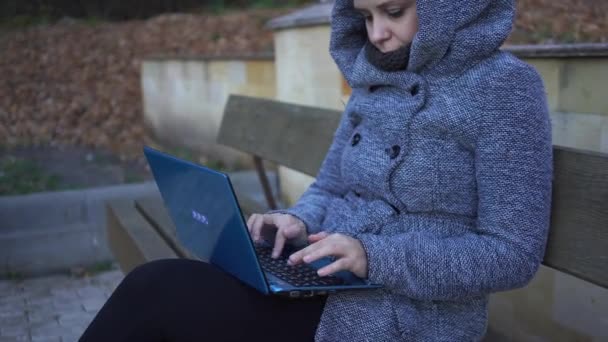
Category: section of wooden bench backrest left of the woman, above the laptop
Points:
column 291, row 135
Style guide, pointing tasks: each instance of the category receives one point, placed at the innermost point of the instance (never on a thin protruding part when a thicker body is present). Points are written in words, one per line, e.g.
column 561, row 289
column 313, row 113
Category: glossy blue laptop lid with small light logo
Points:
column 207, row 217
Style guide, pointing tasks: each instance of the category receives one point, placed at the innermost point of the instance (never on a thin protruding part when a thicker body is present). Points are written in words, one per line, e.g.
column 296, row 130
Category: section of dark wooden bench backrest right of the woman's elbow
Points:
column 578, row 239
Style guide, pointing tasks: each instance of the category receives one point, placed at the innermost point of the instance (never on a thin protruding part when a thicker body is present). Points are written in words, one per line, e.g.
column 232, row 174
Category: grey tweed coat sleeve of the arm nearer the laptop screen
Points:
column 312, row 205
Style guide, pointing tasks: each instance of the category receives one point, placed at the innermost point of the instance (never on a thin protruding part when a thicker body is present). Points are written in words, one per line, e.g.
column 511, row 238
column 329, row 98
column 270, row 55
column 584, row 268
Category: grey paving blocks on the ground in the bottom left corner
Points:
column 54, row 308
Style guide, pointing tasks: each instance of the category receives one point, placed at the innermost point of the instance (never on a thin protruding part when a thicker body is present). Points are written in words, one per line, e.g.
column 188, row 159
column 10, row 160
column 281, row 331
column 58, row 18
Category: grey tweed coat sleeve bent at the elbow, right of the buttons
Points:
column 513, row 164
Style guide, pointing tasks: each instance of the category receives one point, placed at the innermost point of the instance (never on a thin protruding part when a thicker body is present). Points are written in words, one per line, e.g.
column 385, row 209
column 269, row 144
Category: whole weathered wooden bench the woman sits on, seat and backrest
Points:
column 299, row 136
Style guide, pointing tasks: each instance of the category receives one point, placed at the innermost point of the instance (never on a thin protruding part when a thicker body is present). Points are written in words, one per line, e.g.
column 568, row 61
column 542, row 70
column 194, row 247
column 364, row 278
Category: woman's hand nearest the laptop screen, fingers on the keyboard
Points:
column 288, row 227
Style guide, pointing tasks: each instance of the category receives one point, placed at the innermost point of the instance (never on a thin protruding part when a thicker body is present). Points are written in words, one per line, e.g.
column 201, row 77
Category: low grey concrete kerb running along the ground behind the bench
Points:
column 70, row 228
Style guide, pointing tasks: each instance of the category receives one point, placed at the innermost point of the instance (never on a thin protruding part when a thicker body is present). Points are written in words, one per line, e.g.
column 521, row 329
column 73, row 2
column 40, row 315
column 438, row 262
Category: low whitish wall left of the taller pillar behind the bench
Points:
column 184, row 99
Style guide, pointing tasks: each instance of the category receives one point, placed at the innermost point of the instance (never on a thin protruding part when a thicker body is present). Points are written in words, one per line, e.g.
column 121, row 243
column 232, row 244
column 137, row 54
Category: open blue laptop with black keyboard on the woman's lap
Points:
column 210, row 225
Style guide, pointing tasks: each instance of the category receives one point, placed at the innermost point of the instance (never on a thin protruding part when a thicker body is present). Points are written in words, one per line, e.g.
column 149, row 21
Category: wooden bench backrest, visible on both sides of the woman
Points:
column 299, row 136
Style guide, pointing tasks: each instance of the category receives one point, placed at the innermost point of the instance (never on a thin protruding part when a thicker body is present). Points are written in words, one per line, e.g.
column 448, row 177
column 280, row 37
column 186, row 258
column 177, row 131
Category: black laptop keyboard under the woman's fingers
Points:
column 300, row 275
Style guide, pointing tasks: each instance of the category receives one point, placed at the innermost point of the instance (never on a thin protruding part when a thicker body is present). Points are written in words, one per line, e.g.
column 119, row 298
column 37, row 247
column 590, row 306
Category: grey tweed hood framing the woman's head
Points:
column 453, row 35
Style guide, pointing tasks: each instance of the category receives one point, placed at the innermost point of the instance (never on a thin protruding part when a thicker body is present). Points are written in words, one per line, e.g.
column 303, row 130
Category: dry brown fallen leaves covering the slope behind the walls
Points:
column 76, row 84
